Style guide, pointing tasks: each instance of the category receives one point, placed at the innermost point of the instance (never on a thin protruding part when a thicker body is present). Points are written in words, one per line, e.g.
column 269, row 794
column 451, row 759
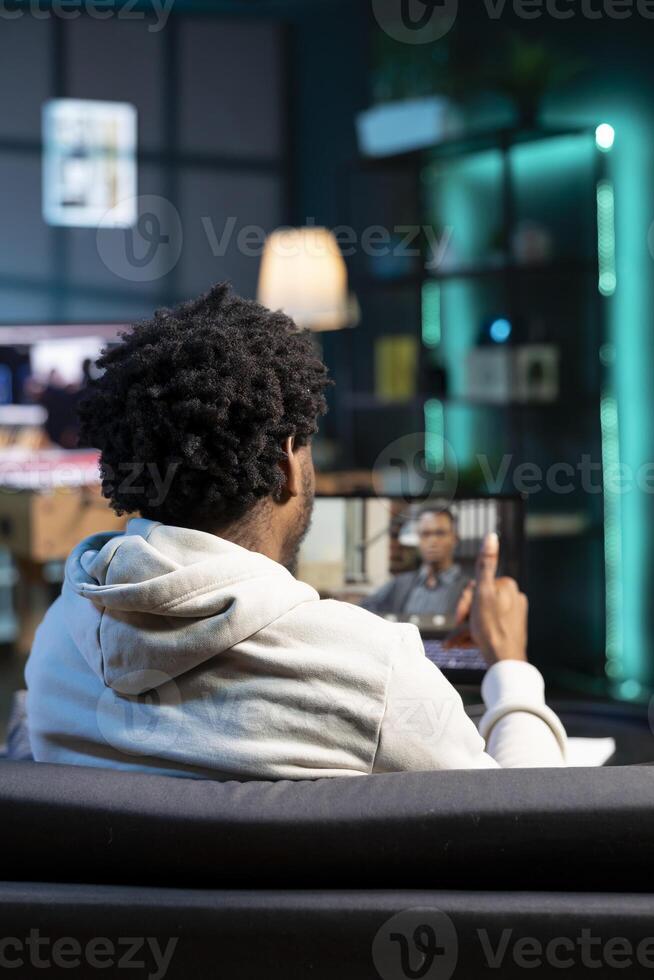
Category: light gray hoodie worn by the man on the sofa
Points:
column 175, row 651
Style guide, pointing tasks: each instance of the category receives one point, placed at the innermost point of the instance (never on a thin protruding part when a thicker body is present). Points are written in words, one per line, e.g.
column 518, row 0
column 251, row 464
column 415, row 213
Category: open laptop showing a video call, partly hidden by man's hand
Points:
column 380, row 552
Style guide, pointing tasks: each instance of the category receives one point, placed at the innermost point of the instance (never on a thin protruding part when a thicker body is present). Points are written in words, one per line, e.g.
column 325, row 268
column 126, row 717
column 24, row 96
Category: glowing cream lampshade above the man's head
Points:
column 303, row 273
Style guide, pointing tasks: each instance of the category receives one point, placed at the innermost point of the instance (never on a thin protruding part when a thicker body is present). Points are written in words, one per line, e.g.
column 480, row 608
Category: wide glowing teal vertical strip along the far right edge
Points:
column 629, row 380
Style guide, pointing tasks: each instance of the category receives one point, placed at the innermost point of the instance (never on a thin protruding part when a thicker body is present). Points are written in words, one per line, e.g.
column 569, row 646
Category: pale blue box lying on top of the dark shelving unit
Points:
column 411, row 124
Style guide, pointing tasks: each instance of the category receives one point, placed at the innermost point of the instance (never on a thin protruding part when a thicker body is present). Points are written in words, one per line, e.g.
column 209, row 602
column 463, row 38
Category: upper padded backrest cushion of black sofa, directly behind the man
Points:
column 522, row 828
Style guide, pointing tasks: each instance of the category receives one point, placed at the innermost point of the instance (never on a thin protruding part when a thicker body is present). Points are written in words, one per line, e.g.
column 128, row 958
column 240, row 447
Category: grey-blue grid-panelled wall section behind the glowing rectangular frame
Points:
column 211, row 94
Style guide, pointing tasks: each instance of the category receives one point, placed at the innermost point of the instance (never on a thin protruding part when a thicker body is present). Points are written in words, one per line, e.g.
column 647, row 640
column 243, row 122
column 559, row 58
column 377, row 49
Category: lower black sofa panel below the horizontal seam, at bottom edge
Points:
column 330, row 935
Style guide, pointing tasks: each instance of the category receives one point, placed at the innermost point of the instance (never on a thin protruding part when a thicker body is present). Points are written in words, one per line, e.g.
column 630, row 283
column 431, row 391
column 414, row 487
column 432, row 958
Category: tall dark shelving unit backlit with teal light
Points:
column 486, row 188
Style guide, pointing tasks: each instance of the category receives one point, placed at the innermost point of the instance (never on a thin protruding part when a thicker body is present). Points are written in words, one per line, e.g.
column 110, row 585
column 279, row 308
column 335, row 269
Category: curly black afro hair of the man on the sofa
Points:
column 200, row 399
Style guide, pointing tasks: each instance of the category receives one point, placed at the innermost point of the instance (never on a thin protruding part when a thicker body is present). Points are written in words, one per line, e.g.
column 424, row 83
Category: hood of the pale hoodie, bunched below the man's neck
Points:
column 151, row 604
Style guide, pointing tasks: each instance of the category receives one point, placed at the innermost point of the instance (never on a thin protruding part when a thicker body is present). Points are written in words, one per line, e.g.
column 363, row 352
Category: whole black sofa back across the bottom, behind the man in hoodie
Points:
column 318, row 879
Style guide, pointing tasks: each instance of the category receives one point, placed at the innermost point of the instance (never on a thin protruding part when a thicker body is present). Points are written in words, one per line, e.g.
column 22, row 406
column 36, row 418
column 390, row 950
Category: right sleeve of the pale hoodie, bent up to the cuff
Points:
column 425, row 726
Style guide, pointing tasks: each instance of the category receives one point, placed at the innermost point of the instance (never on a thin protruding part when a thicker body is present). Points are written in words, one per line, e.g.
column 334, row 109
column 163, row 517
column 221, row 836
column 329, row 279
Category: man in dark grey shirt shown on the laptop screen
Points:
column 435, row 588
